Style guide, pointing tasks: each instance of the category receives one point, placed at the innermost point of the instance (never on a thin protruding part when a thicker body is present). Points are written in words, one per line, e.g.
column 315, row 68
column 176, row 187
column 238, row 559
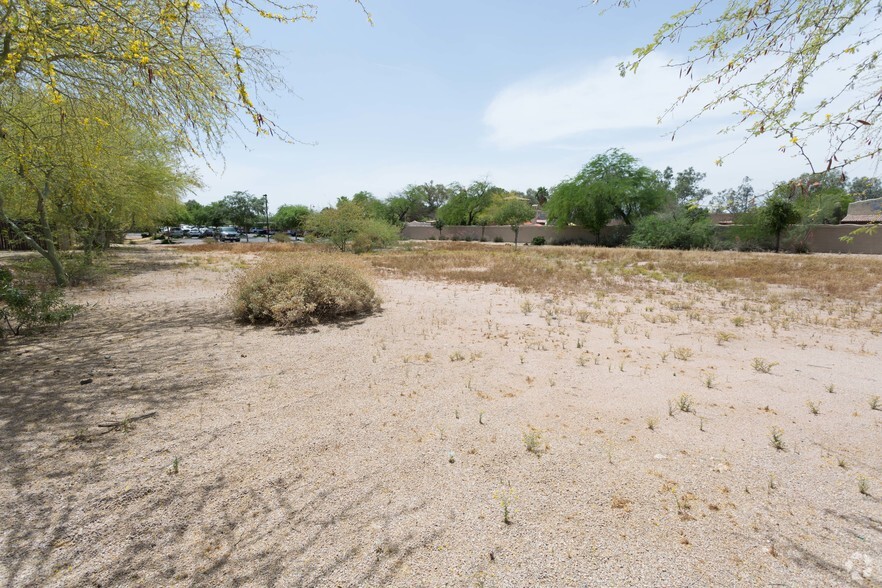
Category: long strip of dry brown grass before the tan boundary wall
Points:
column 572, row 268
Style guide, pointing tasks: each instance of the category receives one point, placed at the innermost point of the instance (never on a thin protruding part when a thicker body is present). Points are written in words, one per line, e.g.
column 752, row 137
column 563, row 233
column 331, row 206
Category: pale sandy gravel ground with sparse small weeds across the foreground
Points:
column 383, row 451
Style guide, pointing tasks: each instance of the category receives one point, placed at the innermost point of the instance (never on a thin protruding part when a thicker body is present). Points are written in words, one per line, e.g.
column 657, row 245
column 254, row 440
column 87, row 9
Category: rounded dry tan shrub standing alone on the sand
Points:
column 293, row 290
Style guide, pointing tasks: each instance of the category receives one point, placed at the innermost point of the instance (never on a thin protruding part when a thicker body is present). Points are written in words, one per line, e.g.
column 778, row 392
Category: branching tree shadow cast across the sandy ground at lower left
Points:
column 89, row 513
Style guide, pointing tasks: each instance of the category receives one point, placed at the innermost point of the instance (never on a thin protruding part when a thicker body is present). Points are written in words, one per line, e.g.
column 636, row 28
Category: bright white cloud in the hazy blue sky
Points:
column 549, row 107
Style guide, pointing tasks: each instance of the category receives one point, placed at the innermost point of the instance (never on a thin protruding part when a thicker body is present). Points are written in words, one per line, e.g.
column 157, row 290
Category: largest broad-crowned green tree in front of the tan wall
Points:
column 612, row 185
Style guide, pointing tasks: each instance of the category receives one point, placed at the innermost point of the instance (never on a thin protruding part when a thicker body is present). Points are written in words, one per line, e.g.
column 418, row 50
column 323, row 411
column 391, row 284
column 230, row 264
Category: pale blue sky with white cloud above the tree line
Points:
column 522, row 92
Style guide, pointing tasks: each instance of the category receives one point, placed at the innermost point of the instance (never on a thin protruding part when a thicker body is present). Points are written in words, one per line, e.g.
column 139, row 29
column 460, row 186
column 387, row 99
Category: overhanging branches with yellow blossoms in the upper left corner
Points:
column 169, row 64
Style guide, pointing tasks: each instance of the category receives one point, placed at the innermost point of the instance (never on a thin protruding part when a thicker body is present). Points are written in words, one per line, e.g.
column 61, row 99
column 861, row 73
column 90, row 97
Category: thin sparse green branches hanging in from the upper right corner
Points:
column 762, row 55
